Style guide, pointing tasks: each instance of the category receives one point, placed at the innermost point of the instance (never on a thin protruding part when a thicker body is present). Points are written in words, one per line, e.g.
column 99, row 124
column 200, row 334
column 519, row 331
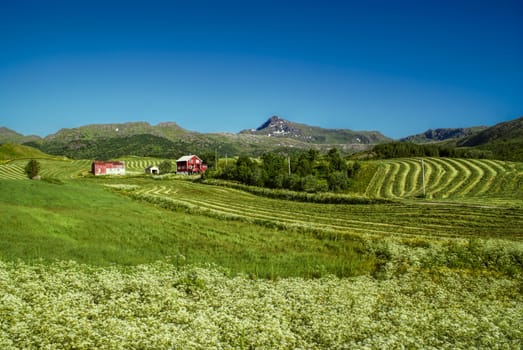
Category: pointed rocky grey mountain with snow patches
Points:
column 278, row 127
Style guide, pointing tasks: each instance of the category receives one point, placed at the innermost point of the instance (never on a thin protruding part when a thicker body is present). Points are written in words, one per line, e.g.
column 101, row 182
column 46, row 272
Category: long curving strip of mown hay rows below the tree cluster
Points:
column 382, row 220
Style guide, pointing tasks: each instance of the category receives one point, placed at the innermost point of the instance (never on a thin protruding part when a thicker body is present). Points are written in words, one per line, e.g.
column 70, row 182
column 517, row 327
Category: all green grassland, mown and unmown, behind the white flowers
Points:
column 133, row 220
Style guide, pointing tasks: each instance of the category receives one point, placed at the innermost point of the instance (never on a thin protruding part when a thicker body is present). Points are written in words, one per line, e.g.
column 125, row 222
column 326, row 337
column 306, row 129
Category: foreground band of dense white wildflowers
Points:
column 66, row 305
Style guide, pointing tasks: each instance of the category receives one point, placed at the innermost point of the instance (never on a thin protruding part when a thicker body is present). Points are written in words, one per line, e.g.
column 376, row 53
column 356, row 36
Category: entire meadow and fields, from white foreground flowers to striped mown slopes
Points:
column 163, row 262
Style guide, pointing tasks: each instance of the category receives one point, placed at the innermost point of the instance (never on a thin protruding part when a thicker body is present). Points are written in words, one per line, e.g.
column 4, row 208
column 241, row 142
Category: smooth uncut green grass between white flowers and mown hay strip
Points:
column 83, row 221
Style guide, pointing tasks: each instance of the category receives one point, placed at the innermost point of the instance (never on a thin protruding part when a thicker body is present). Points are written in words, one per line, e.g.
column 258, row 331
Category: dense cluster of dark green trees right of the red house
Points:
column 303, row 171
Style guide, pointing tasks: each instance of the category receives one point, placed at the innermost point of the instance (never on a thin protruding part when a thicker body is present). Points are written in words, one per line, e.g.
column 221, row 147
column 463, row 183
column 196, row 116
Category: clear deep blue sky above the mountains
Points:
column 399, row 67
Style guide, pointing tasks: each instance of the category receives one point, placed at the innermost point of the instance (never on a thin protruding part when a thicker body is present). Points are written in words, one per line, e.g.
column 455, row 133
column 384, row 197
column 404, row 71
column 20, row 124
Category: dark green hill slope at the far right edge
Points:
column 504, row 140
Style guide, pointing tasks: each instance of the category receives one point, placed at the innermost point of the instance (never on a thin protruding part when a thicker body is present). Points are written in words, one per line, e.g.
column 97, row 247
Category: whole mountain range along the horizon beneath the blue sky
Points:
column 169, row 140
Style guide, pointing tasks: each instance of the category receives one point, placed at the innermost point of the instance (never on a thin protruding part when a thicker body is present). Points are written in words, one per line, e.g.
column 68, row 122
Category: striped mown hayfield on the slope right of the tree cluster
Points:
column 447, row 178
